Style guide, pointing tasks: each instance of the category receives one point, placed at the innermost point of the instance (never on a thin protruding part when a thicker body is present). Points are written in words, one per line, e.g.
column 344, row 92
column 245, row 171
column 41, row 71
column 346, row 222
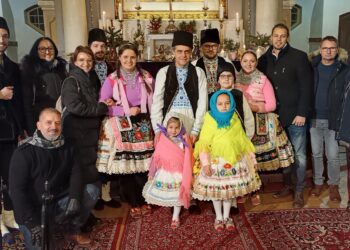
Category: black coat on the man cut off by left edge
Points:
column 11, row 111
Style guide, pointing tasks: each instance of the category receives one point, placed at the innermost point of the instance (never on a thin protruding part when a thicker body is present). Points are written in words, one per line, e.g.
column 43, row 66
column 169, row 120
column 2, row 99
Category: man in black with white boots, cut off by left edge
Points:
column 11, row 119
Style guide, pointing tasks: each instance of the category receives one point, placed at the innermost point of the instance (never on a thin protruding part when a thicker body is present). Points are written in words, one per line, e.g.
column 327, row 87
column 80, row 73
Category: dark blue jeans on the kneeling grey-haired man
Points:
column 89, row 199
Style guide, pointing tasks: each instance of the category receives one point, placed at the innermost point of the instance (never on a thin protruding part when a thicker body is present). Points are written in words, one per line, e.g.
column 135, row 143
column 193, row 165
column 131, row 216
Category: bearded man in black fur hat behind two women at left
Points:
column 97, row 41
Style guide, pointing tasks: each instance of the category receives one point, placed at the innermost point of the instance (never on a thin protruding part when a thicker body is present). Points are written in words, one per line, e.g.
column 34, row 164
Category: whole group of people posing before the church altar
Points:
column 199, row 131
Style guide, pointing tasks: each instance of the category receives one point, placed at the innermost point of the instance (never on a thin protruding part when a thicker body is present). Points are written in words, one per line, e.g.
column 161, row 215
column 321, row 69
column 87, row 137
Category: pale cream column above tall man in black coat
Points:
column 266, row 16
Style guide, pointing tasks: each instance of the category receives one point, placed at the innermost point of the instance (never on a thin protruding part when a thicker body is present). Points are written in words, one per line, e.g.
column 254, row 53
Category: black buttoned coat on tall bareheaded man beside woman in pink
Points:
column 291, row 78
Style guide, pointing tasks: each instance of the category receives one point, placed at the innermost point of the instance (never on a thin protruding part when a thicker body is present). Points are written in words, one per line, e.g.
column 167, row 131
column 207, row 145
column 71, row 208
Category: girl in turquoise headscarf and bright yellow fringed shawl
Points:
column 225, row 159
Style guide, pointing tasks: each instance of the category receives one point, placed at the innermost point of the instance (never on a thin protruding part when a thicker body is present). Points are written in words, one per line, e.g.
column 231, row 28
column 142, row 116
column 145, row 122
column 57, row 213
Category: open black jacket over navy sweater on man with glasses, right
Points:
column 335, row 91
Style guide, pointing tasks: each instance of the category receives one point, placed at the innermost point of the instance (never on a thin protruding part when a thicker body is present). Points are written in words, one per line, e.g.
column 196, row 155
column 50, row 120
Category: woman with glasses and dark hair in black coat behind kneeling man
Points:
column 43, row 72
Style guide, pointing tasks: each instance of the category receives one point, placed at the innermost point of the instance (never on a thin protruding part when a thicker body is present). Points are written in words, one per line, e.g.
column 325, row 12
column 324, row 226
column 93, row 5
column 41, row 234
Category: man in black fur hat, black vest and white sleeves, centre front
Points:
column 181, row 88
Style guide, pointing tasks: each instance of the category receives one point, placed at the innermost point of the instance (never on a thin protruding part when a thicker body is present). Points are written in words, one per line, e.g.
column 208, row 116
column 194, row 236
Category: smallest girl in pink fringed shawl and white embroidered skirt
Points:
column 170, row 174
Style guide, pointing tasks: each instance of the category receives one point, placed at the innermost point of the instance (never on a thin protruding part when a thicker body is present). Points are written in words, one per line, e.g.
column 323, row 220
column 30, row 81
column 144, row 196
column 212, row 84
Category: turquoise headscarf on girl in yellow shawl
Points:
column 222, row 118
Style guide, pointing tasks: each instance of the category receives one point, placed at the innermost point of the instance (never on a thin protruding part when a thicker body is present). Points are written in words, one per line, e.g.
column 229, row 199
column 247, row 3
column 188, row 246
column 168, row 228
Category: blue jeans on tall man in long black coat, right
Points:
column 297, row 136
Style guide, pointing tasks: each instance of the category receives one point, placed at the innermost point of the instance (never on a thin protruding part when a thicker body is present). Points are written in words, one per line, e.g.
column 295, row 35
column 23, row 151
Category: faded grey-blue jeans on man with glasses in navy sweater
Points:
column 321, row 135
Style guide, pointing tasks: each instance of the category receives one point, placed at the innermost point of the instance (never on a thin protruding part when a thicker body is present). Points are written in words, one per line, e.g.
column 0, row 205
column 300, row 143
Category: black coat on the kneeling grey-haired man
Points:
column 30, row 167
